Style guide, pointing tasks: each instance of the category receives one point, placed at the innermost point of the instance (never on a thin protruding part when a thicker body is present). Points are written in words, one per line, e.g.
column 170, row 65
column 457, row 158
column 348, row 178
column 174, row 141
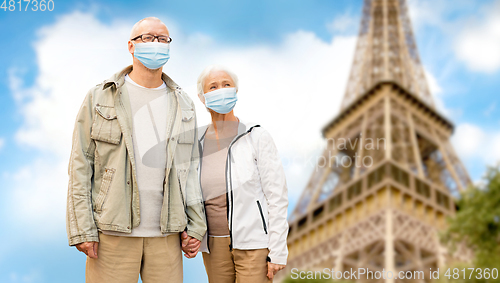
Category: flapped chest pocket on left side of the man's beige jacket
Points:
column 105, row 126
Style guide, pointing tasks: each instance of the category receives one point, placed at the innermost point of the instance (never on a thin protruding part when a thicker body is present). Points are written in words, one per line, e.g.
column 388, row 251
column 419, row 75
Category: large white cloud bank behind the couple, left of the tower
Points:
column 292, row 89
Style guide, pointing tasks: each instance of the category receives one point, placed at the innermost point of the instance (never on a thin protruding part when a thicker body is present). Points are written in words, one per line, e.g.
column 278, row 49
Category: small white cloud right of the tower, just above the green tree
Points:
column 472, row 142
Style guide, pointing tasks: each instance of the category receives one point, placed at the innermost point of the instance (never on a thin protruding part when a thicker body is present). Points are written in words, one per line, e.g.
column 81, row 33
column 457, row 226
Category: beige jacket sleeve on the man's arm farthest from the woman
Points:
column 80, row 223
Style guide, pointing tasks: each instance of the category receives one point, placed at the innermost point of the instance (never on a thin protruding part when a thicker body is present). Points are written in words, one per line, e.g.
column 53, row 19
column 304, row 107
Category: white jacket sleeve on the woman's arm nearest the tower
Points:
column 272, row 177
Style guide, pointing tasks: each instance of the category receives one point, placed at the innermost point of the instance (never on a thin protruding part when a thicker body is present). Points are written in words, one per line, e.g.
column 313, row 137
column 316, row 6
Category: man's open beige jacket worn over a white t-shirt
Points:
column 102, row 191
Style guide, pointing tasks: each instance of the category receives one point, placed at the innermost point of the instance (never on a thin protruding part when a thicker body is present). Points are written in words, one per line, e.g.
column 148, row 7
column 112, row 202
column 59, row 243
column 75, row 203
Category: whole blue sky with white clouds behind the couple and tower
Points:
column 290, row 55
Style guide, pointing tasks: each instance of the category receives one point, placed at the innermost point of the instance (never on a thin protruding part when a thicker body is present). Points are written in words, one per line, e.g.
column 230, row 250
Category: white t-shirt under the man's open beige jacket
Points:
column 149, row 108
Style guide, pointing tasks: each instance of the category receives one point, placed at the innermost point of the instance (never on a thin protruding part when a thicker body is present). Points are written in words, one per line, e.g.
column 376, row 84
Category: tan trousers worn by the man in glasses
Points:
column 122, row 259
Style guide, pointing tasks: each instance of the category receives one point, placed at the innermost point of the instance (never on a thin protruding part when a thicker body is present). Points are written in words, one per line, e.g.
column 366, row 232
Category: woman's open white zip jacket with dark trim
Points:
column 256, row 192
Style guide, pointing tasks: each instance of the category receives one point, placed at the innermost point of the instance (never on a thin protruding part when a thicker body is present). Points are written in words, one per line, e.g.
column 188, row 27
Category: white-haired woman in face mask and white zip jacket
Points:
column 244, row 190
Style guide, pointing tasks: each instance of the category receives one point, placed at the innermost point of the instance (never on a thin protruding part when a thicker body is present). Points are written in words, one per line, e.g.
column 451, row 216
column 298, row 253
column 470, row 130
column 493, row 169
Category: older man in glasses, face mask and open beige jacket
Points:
column 133, row 181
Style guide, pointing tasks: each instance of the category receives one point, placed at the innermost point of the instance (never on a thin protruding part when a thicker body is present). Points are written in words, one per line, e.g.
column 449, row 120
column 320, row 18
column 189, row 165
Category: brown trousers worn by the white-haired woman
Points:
column 240, row 266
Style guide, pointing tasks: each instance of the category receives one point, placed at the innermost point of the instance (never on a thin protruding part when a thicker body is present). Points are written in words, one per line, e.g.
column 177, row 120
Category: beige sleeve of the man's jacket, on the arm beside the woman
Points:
column 195, row 209
